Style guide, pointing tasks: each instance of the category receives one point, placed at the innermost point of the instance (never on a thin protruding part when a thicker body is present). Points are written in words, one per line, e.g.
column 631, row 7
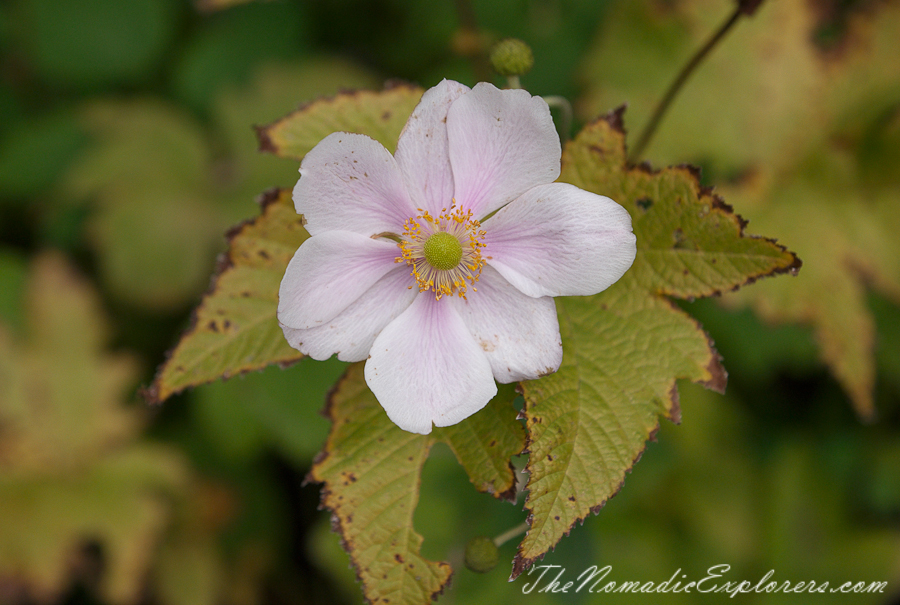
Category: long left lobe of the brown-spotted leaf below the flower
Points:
column 371, row 473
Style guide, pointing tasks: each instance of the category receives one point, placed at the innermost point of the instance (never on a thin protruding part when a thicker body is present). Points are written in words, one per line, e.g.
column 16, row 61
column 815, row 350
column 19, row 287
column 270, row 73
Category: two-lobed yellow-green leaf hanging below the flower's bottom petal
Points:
column 371, row 470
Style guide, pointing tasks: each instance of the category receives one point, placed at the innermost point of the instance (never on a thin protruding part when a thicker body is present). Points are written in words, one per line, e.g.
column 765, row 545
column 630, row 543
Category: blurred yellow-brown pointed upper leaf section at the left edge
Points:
column 59, row 390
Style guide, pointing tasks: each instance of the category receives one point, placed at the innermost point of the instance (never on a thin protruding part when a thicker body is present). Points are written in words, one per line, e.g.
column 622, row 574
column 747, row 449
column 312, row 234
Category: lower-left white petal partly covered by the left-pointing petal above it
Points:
column 351, row 333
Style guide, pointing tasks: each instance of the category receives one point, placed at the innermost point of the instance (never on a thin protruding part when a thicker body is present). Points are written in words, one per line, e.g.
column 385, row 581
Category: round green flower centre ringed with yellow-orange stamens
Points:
column 444, row 251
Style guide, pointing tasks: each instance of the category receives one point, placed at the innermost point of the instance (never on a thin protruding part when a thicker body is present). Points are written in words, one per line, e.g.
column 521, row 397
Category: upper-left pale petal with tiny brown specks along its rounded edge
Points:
column 350, row 182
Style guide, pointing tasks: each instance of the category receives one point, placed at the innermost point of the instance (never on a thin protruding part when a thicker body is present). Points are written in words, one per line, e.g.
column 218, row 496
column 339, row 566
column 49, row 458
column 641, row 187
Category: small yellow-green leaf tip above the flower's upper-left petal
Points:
column 380, row 115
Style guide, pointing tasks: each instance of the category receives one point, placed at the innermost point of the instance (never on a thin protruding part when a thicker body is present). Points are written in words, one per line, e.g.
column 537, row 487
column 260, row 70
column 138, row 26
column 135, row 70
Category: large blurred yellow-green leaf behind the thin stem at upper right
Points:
column 799, row 139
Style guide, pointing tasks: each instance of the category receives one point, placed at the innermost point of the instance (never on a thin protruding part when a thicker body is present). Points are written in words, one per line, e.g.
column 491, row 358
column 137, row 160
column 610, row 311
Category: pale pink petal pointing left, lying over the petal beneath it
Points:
column 327, row 273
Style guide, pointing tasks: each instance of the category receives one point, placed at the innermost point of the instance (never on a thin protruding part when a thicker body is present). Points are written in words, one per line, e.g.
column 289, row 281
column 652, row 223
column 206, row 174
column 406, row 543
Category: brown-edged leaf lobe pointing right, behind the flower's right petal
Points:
column 690, row 243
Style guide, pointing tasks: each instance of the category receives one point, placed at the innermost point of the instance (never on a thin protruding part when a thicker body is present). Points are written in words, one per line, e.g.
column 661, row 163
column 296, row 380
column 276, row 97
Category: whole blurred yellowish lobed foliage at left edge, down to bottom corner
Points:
column 70, row 471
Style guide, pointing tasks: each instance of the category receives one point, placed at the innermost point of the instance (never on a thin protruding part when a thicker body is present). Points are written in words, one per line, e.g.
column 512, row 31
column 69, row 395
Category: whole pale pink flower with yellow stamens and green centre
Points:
column 438, row 264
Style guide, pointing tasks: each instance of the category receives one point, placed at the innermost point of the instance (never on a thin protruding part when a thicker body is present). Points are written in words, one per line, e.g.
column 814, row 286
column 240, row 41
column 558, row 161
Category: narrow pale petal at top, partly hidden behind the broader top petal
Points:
column 422, row 151
